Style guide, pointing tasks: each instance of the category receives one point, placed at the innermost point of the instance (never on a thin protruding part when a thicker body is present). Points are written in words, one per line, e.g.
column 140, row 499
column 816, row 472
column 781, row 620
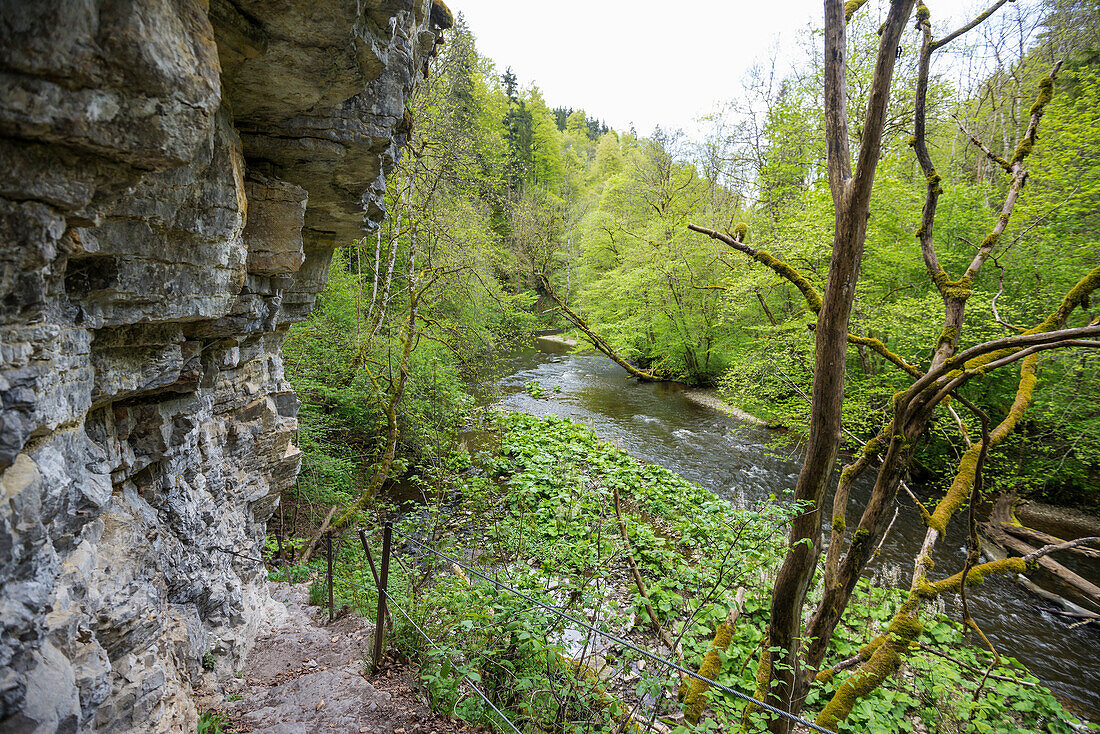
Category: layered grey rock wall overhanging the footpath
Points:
column 174, row 177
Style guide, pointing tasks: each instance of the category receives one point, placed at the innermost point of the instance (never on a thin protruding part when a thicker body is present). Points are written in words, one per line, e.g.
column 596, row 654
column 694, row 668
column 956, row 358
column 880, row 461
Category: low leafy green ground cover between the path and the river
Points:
column 537, row 511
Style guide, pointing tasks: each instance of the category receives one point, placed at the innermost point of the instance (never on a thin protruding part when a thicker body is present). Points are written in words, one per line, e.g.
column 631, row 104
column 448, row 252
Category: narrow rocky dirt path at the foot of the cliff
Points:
column 306, row 676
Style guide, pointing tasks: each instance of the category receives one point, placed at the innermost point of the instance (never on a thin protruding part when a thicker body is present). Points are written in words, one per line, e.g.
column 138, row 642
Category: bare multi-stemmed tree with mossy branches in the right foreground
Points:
column 790, row 667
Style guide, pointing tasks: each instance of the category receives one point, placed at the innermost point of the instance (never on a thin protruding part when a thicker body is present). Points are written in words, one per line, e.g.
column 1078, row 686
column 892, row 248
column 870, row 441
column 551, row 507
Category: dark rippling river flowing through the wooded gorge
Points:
column 733, row 459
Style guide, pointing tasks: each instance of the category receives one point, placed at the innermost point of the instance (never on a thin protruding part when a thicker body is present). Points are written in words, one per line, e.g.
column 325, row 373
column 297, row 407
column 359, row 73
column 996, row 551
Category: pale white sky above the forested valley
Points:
column 642, row 62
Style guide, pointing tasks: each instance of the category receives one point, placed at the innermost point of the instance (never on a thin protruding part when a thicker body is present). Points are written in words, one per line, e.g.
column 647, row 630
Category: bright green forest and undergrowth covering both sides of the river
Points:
column 887, row 254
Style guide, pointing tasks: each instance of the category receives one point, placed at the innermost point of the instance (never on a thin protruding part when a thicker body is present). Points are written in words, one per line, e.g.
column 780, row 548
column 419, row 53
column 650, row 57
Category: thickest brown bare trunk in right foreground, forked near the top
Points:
column 852, row 198
